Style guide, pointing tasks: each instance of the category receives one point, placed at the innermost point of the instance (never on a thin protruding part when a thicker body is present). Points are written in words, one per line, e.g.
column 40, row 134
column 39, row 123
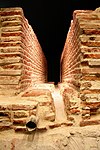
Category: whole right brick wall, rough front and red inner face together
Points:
column 80, row 64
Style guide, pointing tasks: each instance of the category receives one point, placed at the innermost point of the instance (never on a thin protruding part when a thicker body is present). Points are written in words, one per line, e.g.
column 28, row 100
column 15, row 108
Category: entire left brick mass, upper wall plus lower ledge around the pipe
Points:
column 23, row 75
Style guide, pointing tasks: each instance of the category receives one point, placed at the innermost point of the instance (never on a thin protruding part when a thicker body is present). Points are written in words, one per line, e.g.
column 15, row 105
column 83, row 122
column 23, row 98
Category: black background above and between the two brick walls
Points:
column 50, row 20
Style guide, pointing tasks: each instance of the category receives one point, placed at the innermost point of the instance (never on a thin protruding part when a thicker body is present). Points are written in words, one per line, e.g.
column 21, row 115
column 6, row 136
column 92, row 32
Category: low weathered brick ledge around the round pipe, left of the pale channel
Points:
column 16, row 111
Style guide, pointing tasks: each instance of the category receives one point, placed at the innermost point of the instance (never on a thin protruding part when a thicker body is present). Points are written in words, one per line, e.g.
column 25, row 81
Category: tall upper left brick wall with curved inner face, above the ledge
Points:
column 22, row 62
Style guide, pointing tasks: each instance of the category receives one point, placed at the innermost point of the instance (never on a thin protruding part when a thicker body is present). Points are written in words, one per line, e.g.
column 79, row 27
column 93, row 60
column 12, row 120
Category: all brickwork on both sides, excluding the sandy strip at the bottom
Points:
column 24, row 91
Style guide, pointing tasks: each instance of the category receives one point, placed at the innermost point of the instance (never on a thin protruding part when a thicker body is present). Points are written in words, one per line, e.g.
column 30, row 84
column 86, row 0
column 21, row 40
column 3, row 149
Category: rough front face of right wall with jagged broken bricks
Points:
column 90, row 65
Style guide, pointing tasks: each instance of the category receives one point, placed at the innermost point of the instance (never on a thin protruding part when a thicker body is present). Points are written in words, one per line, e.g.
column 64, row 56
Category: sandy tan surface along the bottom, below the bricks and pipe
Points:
column 61, row 138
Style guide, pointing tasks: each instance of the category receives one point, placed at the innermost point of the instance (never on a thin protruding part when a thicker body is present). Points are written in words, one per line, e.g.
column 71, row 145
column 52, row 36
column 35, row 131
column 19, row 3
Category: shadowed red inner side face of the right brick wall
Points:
column 70, row 59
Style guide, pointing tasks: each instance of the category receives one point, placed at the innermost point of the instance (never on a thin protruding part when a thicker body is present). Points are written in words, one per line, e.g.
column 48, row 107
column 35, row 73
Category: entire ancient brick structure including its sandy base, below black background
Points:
column 26, row 97
